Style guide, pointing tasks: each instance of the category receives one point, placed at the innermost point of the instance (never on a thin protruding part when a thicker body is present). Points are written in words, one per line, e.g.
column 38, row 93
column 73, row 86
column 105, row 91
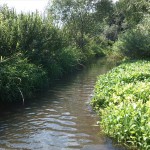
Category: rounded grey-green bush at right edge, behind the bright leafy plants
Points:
column 135, row 43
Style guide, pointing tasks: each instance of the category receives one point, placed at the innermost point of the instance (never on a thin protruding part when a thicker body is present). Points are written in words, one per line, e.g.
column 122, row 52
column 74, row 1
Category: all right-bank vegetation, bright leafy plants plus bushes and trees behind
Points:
column 122, row 96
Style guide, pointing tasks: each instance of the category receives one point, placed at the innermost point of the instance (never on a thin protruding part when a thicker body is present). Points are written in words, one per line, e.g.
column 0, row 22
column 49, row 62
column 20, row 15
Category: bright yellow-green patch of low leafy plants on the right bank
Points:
column 123, row 103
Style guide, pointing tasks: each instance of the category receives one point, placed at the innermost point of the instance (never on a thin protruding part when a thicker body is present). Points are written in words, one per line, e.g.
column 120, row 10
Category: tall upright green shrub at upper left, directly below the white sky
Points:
column 30, row 35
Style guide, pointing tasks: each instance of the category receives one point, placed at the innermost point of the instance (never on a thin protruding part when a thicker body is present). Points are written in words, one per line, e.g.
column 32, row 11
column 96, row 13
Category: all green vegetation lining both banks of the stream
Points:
column 37, row 49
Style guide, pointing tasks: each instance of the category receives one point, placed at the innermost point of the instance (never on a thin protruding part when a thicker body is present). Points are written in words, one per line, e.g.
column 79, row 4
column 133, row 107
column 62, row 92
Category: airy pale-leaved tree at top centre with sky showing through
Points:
column 74, row 17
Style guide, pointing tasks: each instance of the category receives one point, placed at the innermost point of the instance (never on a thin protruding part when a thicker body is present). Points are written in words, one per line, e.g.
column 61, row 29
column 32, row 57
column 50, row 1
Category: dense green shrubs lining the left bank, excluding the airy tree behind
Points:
column 45, row 54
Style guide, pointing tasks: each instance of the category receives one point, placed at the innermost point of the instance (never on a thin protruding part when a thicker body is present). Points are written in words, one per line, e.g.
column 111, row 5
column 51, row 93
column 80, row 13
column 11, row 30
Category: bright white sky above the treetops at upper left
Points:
column 27, row 5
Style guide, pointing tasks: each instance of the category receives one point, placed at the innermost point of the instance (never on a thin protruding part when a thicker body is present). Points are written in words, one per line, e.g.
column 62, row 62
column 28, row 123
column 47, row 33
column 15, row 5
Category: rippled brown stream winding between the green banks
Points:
column 61, row 119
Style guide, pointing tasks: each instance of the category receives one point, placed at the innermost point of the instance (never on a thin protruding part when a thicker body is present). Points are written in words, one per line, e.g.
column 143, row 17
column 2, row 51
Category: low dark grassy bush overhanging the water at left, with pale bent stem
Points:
column 19, row 79
